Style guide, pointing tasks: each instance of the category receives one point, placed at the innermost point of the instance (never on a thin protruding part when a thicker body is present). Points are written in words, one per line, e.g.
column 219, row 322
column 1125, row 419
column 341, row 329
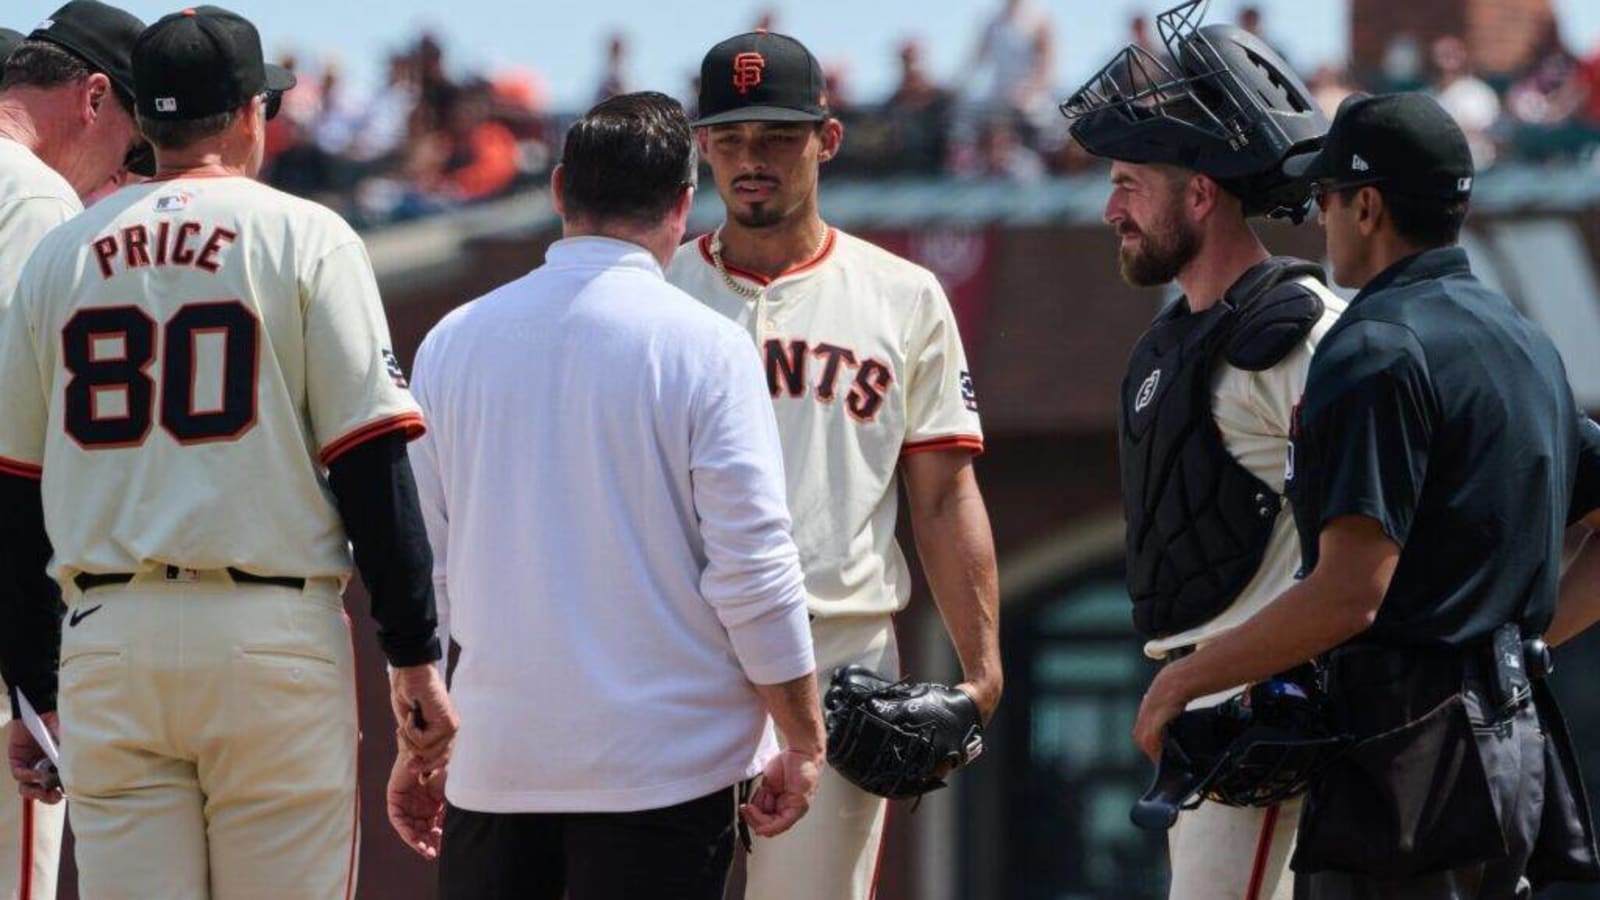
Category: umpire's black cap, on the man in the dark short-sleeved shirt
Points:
column 1404, row 140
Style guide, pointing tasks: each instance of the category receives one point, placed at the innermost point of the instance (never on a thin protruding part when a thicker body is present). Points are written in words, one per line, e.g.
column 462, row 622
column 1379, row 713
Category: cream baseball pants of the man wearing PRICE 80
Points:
column 209, row 741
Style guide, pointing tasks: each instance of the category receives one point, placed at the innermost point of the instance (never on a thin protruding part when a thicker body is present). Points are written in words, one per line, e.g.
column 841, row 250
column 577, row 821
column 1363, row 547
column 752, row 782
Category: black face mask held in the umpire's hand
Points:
column 1258, row 749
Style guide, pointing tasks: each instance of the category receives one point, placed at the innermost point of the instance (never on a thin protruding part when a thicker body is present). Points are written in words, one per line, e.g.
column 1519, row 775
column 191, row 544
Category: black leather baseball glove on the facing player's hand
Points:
column 897, row 739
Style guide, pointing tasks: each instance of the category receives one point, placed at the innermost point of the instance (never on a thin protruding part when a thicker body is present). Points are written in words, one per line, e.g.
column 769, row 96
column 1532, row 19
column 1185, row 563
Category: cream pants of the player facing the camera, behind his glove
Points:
column 833, row 854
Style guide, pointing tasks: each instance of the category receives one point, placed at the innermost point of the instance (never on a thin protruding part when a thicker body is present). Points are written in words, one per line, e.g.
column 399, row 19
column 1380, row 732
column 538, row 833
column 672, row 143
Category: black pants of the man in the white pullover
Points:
column 679, row 853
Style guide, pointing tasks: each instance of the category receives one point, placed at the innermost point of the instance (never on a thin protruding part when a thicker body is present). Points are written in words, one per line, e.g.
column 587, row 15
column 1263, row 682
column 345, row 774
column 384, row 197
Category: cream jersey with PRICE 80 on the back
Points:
column 182, row 364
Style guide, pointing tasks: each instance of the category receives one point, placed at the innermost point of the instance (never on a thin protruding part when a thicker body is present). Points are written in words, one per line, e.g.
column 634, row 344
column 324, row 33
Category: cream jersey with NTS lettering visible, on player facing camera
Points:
column 865, row 364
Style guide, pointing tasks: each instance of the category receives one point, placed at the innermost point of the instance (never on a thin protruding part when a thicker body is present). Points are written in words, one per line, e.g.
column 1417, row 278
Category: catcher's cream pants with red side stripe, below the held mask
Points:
column 1225, row 853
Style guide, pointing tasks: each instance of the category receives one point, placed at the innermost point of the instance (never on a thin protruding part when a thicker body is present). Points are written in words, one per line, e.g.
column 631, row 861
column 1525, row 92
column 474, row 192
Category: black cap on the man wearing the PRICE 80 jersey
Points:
column 199, row 63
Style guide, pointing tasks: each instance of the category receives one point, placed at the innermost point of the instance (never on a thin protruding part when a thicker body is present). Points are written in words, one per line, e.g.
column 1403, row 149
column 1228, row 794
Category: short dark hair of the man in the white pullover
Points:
column 628, row 159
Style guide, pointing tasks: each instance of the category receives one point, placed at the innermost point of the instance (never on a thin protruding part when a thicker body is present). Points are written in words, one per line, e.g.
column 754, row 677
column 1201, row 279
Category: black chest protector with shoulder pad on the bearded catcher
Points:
column 1199, row 523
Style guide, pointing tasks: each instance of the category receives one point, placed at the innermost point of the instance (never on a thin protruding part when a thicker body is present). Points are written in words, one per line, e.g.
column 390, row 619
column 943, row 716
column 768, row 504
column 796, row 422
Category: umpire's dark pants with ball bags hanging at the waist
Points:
column 1401, row 704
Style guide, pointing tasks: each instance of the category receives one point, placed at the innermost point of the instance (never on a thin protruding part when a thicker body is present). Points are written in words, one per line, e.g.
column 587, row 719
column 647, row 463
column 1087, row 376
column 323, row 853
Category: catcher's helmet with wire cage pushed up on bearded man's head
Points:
column 1223, row 103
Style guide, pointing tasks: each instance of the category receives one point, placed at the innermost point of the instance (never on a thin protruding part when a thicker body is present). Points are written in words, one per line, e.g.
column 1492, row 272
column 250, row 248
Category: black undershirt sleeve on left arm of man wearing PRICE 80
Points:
column 31, row 616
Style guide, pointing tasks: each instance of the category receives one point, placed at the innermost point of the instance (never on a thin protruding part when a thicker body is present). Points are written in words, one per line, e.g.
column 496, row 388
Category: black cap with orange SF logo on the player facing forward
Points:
column 761, row 78
